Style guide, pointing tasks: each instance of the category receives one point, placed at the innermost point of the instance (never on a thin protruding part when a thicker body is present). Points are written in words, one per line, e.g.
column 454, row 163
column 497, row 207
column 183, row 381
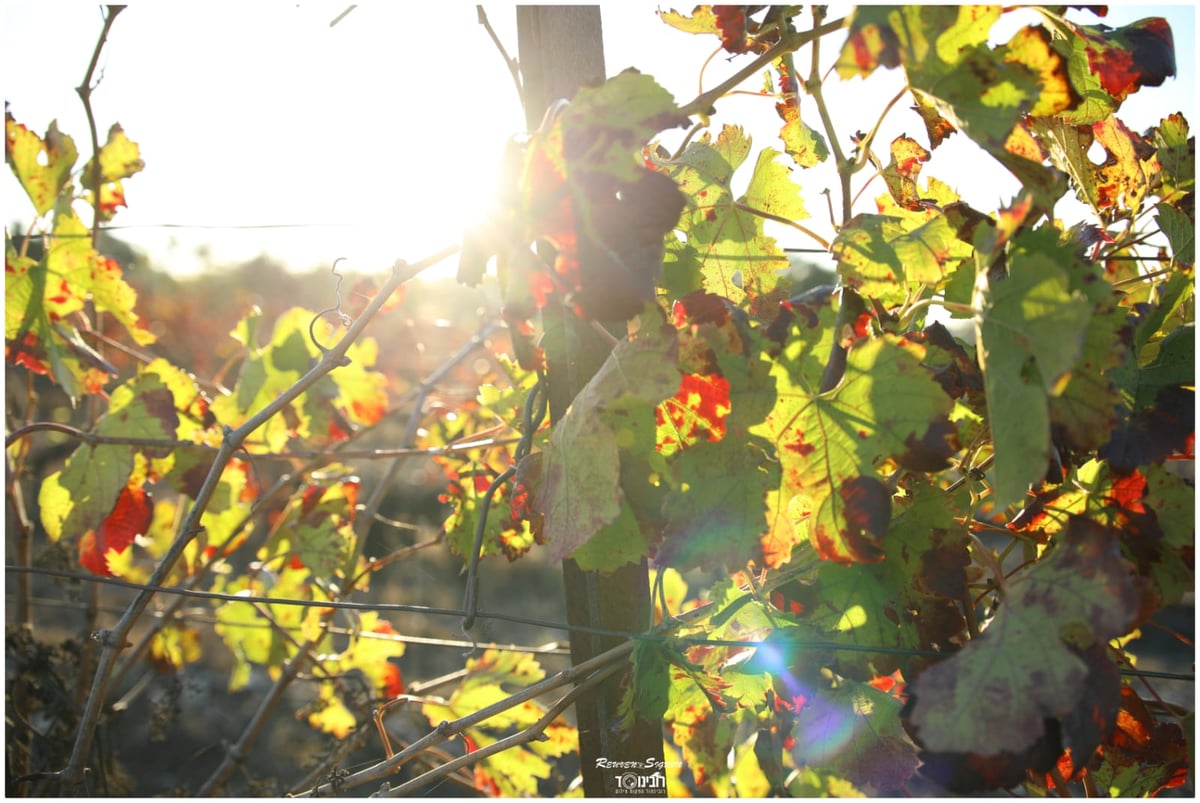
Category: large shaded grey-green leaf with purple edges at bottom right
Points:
column 1029, row 666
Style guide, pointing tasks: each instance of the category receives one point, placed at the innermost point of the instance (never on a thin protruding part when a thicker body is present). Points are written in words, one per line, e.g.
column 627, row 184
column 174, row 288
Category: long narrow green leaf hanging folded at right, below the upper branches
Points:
column 1030, row 334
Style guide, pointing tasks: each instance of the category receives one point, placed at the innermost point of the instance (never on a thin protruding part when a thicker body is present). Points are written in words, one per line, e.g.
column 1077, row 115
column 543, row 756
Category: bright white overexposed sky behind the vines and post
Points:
column 383, row 131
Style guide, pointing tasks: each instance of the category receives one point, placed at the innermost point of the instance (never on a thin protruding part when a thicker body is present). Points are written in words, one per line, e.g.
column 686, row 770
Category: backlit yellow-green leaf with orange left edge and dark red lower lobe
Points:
column 830, row 446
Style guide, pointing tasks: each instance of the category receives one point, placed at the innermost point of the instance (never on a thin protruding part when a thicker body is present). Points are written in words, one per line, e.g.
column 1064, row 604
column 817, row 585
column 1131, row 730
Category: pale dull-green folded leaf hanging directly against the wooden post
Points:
column 580, row 481
